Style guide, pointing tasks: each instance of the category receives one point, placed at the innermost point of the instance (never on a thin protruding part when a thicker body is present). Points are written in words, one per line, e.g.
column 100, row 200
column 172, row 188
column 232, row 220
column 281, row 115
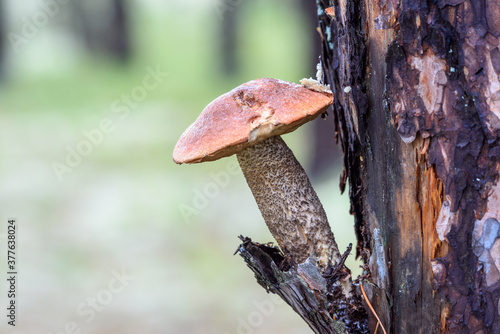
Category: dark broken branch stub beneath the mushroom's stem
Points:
column 316, row 298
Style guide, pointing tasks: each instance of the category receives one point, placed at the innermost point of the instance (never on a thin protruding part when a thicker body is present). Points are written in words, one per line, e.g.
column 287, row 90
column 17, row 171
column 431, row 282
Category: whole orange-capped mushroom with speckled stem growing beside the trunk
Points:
column 248, row 121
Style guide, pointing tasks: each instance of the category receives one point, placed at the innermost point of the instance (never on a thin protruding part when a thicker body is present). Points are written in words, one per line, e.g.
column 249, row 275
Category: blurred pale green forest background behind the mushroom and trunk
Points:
column 113, row 236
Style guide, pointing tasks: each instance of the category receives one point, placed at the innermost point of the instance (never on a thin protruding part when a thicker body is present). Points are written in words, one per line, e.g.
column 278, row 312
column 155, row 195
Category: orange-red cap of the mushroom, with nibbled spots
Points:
column 246, row 115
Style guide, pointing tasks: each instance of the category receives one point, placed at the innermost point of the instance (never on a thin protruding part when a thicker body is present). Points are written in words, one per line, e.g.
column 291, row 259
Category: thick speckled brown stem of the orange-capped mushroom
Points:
column 287, row 201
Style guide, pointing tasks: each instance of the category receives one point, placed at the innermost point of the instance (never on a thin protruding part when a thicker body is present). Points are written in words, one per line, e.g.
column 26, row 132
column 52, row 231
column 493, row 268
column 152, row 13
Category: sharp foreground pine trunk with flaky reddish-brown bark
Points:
column 417, row 111
